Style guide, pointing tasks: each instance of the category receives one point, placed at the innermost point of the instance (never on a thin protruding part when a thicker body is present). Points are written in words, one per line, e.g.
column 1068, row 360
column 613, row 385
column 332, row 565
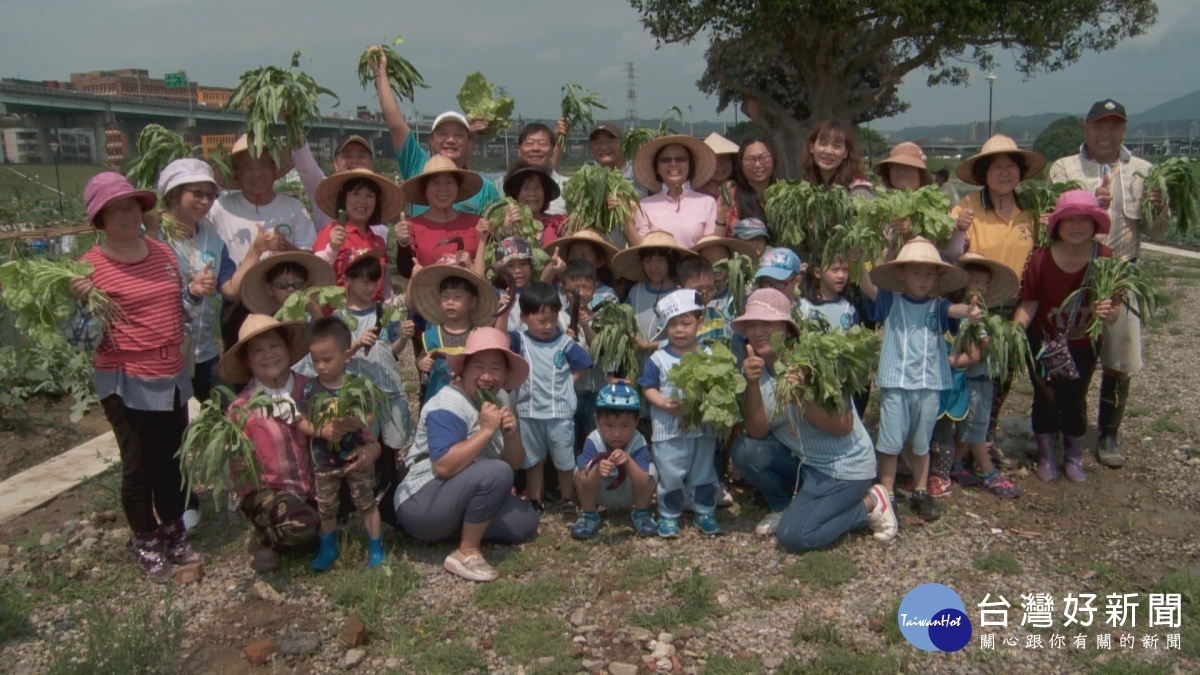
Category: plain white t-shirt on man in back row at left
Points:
column 235, row 218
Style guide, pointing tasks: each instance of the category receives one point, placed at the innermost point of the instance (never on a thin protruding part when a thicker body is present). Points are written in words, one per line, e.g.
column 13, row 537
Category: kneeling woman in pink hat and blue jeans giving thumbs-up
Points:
column 837, row 473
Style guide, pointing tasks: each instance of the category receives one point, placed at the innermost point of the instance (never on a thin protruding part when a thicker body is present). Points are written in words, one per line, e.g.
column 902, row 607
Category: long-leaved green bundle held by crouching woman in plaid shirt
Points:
column 215, row 450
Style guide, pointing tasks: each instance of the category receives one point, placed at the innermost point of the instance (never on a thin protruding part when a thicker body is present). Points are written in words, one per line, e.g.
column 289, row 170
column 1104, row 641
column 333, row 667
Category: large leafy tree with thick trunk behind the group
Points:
column 789, row 63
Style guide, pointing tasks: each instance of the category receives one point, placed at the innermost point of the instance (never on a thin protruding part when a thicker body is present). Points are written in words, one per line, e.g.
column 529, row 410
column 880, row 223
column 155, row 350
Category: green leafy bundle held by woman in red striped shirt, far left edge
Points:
column 39, row 291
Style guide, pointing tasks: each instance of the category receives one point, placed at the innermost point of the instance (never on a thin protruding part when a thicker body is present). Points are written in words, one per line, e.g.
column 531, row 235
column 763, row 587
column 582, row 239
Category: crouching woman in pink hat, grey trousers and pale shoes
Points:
column 461, row 465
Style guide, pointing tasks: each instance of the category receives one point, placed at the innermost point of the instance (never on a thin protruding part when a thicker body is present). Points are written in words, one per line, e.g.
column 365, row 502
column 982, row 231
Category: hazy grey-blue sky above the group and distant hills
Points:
column 532, row 49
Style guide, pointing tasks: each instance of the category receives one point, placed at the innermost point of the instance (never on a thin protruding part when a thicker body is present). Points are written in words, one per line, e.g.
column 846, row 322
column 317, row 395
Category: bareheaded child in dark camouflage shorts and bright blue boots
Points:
column 341, row 450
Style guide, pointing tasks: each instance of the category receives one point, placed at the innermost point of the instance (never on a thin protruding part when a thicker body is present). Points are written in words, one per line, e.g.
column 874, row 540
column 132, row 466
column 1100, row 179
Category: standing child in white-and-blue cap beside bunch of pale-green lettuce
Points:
column 685, row 459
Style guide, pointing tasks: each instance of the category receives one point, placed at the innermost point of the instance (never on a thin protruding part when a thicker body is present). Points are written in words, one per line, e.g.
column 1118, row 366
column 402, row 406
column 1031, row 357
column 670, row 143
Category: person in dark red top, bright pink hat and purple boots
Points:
column 1060, row 405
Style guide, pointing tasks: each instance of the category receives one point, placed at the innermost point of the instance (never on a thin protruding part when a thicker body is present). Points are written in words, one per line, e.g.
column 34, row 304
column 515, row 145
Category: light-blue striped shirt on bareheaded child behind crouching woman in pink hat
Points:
column 549, row 393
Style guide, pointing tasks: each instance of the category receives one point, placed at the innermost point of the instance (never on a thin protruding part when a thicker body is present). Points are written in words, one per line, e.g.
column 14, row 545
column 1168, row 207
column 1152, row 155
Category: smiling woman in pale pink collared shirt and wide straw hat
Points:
column 669, row 168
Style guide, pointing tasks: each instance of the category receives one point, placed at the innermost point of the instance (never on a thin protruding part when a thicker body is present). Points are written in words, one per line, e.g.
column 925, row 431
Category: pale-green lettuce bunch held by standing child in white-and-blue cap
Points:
column 710, row 389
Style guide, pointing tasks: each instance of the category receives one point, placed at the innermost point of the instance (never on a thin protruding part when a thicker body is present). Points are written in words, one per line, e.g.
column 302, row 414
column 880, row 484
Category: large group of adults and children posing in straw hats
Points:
column 507, row 380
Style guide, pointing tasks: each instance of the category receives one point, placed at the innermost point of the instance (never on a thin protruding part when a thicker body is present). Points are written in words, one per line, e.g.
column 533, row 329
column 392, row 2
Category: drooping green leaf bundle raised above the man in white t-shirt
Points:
column 272, row 94
